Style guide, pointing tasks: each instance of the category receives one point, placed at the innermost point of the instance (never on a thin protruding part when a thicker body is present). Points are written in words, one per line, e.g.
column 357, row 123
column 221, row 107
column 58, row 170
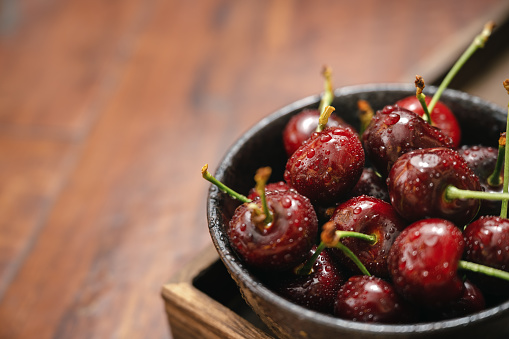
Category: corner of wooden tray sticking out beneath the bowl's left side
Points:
column 203, row 301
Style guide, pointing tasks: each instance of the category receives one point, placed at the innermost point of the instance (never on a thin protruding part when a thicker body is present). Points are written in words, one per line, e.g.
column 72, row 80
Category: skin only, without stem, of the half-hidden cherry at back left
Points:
column 300, row 127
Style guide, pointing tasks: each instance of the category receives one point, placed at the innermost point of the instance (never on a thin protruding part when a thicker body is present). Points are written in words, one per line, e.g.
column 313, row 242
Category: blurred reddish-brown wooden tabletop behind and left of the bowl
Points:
column 108, row 110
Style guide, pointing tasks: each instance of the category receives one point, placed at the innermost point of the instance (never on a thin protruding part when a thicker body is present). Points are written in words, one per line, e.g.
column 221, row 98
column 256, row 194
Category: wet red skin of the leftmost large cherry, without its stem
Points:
column 282, row 244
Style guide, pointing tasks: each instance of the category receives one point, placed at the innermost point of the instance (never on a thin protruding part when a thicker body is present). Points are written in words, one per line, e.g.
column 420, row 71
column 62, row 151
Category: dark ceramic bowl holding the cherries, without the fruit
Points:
column 481, row 123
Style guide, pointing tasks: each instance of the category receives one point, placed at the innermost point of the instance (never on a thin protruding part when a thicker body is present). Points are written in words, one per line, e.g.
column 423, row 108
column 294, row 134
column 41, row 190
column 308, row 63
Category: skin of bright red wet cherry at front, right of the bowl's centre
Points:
column 423, row 262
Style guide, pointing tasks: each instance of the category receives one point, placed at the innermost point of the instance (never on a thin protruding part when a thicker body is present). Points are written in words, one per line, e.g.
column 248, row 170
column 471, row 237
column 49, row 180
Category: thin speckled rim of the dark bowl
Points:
column 238, row 271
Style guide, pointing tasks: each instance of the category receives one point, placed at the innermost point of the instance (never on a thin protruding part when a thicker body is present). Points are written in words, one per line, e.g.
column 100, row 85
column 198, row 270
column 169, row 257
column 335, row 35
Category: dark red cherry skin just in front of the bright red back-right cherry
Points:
column 394, row 131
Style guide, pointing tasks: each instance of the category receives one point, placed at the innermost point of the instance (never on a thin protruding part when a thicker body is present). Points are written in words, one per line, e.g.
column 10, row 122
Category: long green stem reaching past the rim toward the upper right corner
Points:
column 477, row 43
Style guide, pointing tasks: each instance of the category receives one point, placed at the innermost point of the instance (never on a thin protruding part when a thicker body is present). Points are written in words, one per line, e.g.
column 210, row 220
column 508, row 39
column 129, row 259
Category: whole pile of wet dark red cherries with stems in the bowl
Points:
column 419, row 235
